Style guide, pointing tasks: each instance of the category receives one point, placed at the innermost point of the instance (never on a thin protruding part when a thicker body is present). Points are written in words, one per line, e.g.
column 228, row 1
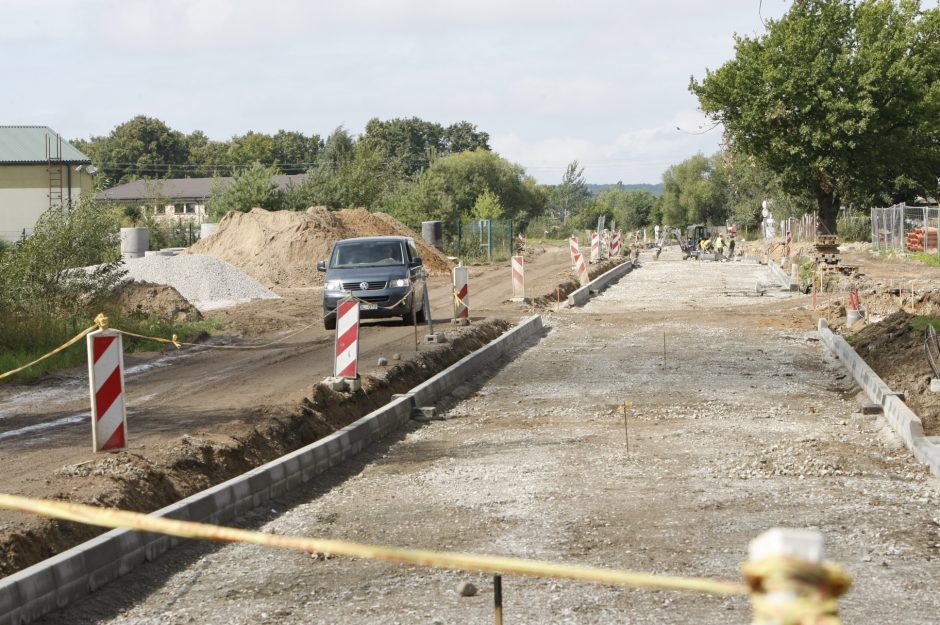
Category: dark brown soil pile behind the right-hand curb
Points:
column 894, row 348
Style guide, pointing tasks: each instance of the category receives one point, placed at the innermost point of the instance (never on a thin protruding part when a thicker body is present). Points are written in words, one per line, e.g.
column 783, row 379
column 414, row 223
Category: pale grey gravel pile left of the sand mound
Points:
column 206, row 281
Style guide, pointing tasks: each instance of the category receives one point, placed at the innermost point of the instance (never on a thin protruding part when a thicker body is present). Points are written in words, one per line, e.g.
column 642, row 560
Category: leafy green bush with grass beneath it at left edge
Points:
column 46, row 298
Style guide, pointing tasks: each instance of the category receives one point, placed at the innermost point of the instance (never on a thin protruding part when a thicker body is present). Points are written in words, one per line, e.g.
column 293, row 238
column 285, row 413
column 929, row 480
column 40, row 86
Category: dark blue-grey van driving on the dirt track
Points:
column 385, row 274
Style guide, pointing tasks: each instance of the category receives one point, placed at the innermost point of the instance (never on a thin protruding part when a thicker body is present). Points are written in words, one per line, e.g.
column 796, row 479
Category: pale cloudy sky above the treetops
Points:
column 603, row 82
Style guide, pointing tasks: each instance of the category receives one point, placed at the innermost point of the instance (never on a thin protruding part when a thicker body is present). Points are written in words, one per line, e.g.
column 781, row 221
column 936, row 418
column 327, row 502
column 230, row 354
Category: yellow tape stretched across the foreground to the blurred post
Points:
column 499, row 565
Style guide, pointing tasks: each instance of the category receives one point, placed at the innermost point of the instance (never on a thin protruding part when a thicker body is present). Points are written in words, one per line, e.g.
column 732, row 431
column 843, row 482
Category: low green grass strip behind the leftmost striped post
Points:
column 24, row 340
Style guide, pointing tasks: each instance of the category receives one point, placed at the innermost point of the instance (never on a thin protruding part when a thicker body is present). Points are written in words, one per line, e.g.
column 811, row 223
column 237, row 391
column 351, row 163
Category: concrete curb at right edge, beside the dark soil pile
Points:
column 902, row 419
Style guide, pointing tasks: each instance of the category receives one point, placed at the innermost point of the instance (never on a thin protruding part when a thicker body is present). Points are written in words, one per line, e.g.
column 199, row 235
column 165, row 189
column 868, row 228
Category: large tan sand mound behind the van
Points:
column 281, row 248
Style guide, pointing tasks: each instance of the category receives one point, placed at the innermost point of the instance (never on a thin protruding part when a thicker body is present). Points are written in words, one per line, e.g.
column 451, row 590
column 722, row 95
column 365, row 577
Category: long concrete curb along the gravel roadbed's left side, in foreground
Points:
column 54, row 583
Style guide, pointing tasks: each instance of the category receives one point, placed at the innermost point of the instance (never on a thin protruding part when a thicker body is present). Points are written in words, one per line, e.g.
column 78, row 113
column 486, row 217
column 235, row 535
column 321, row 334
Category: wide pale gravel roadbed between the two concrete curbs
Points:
column 748, row 424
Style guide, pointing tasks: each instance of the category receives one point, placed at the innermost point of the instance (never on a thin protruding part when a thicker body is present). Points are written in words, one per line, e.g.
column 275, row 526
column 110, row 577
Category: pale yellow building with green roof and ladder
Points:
column 38, row 170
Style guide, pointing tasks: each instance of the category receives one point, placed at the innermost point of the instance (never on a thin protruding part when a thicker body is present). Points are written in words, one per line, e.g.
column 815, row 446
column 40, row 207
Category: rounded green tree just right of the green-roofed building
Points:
column 143, row 147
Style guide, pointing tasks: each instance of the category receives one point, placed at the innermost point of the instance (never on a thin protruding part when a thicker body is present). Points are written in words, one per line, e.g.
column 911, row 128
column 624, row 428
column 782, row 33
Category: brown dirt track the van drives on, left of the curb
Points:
column 203, row 406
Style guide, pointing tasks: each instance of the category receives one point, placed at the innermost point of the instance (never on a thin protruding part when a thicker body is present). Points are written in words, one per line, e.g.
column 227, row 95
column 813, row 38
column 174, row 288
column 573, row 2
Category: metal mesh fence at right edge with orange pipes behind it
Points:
column 903, row 228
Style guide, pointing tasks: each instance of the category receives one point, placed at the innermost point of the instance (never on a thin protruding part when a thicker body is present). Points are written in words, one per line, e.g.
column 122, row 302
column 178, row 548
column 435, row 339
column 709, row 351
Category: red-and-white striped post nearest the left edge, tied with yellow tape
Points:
column 106, row 383
